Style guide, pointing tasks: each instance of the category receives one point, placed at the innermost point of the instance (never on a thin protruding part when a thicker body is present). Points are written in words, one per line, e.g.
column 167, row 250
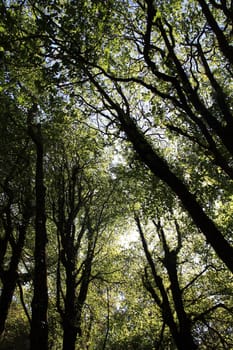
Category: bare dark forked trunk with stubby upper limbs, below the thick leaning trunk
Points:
column 180, row 329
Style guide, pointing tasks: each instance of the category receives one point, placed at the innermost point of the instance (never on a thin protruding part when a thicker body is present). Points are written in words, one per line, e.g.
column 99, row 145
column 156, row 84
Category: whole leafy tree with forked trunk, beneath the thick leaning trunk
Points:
column 178, row 269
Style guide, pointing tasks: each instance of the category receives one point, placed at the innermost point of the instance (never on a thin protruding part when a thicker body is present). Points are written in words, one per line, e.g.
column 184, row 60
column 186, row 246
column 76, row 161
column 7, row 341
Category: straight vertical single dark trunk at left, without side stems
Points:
column 39, row 325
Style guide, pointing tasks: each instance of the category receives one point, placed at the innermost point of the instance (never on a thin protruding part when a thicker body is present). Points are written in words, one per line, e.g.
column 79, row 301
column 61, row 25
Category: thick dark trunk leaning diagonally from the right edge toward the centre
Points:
column 160, row 168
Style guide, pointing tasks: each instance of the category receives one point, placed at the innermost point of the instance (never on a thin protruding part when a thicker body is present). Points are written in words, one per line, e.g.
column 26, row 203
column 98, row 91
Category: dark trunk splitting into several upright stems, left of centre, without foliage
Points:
column 71, row 304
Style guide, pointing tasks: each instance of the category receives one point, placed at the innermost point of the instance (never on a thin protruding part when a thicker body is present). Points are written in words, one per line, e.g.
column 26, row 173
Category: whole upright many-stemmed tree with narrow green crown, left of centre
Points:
column 80, row 193
